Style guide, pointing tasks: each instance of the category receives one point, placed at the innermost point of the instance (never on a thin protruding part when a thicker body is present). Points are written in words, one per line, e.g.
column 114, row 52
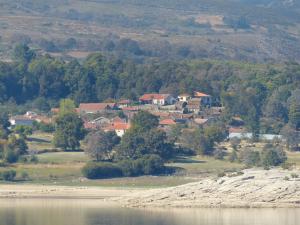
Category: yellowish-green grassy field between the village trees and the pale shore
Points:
column 55, row 167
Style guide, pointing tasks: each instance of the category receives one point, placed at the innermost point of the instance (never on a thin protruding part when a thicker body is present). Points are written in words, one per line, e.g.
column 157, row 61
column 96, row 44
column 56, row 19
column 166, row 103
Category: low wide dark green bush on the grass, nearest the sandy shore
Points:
column 101, row 170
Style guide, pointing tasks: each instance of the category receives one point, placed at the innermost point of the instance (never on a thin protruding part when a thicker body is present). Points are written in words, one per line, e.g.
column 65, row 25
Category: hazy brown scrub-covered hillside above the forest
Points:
column 260, row 31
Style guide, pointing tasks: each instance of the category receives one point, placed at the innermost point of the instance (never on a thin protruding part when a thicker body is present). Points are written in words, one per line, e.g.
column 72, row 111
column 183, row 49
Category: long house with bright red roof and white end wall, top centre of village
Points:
column 157, row 99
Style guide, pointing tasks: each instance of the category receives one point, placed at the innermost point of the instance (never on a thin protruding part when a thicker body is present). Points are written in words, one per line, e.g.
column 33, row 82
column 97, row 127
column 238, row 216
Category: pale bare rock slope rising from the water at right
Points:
column 251, row 188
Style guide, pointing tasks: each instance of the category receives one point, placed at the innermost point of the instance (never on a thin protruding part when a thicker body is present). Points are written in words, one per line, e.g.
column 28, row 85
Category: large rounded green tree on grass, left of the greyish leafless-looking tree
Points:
column 69, row 131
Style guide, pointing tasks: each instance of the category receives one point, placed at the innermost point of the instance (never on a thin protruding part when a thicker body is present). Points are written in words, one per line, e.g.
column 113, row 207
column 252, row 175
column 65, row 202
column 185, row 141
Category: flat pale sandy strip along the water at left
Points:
column 63, row 192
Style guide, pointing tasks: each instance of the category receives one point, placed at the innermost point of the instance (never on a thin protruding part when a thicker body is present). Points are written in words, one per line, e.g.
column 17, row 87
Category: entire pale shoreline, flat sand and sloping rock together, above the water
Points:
column 254, row 188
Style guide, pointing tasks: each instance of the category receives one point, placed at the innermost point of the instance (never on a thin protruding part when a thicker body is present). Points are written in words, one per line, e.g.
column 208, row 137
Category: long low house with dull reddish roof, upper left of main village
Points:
column 91, row 108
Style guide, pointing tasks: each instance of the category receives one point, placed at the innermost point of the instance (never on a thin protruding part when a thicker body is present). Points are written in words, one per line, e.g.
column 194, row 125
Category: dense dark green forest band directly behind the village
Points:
column 267, row 94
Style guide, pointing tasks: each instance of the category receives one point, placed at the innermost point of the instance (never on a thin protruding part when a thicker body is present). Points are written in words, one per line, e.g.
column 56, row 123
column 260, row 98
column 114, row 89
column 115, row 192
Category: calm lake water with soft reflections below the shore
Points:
column 97, row 212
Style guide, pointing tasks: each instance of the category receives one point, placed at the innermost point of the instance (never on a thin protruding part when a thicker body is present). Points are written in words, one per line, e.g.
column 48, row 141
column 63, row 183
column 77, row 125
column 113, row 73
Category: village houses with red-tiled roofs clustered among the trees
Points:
column 191, row 110
